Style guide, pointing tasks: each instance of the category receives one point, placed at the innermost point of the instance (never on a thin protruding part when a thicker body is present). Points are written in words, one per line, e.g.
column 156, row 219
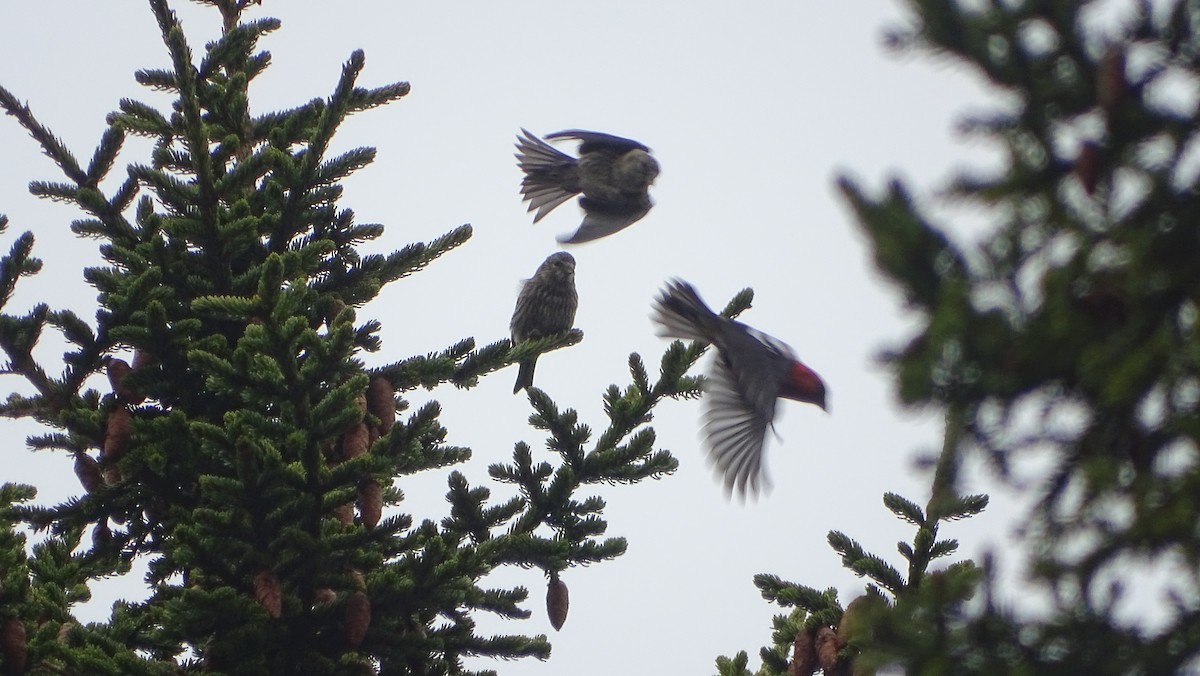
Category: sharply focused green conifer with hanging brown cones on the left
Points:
column 242, row 446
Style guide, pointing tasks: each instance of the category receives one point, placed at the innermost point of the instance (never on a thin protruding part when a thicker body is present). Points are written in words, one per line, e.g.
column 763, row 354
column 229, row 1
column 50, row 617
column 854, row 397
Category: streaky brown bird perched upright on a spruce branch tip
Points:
column 545, row 307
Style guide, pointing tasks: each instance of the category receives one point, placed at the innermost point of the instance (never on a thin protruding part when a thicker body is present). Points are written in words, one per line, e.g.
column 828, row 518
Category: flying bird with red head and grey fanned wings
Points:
column 752, row 372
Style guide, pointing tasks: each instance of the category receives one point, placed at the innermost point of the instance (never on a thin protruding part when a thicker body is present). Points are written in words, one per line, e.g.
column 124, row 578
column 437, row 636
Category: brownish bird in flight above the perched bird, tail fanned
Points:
column 613, row 174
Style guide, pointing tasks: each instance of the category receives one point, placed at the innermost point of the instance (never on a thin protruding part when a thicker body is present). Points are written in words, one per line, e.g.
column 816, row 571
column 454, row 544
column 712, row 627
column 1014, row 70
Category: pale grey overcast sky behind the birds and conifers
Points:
column 751, row 109
